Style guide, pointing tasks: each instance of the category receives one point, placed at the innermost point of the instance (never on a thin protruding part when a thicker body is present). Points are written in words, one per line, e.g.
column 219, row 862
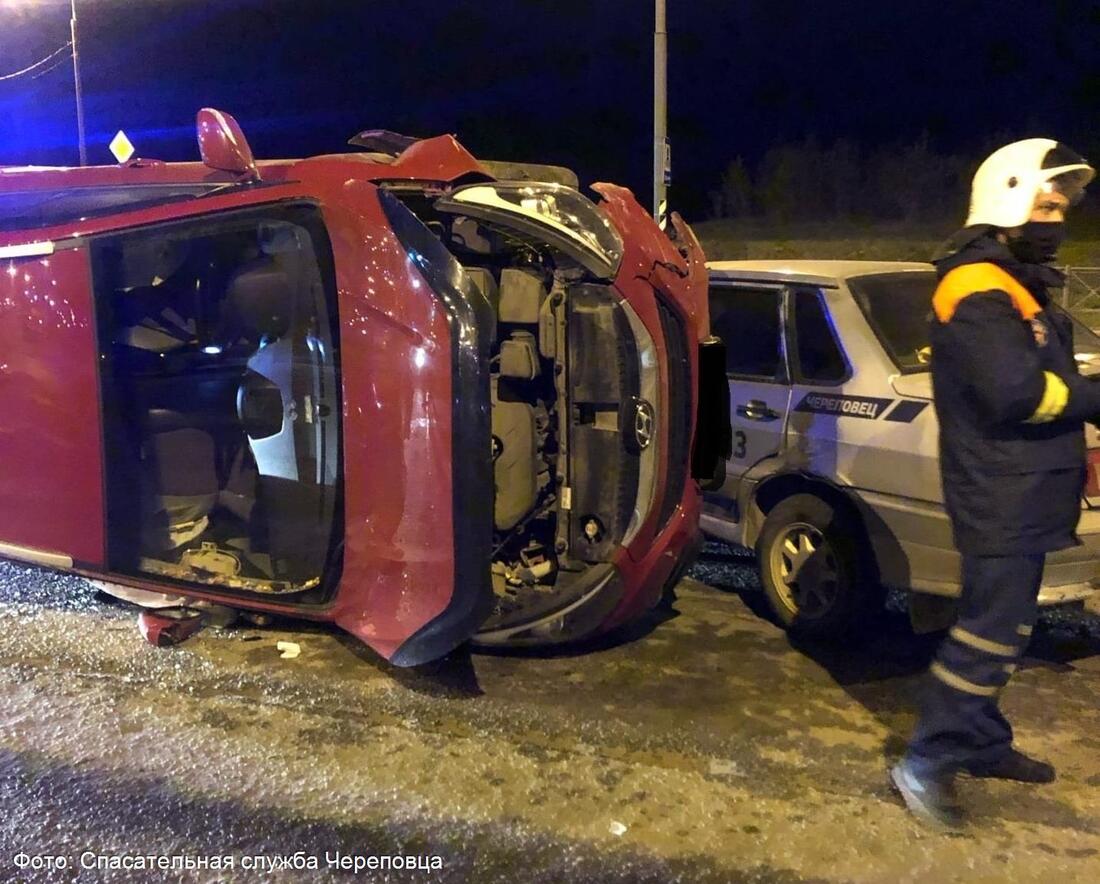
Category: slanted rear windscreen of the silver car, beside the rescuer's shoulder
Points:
column 898, row 307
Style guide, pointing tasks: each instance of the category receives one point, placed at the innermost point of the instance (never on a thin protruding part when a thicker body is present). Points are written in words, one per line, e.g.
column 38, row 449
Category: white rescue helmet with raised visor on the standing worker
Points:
column 1007, row 183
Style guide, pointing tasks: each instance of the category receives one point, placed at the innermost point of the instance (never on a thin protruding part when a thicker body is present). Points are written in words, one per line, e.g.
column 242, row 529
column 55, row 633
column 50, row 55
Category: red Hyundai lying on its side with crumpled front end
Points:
column 419, row 395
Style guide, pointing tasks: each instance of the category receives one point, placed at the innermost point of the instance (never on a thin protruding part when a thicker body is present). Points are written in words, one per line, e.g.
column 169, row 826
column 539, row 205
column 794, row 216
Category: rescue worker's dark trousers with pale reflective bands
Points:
column 961, row 724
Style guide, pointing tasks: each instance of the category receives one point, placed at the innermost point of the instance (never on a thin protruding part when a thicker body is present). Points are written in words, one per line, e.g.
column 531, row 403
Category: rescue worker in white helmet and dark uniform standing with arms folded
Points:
column 1013, row 408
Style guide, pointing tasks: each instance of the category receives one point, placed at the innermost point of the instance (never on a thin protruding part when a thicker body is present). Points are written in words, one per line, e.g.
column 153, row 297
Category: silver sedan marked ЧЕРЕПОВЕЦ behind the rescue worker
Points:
column 835, row 473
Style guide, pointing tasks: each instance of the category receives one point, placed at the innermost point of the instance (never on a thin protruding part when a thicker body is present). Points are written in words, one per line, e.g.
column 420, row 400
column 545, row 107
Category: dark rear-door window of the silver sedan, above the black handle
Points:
column 747, row 319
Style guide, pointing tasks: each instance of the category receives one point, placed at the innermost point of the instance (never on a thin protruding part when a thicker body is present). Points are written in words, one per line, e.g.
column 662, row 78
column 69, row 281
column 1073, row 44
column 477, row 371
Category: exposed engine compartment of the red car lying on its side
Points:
column 566, row 394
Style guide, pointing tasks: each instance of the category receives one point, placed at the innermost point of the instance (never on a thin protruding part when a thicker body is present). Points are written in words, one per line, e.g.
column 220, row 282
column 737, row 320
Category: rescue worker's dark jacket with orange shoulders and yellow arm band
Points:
column 1011, row 405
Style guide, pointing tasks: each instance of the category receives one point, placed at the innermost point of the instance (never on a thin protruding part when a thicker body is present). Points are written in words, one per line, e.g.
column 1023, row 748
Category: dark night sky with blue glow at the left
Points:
column 563, row 82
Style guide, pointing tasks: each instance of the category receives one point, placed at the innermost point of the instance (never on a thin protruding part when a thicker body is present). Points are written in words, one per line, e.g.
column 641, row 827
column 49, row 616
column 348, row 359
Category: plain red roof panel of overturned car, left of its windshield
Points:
column 50, row 436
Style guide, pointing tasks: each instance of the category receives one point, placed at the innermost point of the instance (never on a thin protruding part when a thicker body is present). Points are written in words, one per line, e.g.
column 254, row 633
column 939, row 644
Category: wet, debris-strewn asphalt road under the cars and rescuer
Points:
column 700, row 747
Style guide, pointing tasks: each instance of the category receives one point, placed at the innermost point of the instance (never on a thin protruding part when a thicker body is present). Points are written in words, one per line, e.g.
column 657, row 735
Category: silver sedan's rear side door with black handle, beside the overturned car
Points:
column 750, row 317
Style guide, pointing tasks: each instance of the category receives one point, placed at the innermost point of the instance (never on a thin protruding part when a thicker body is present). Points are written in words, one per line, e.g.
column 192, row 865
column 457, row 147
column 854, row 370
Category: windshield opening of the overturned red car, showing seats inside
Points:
column 222, row 401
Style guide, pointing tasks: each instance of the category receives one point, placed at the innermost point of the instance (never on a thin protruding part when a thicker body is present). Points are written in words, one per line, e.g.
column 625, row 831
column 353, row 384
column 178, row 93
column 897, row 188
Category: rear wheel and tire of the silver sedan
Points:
column 818, row 581
